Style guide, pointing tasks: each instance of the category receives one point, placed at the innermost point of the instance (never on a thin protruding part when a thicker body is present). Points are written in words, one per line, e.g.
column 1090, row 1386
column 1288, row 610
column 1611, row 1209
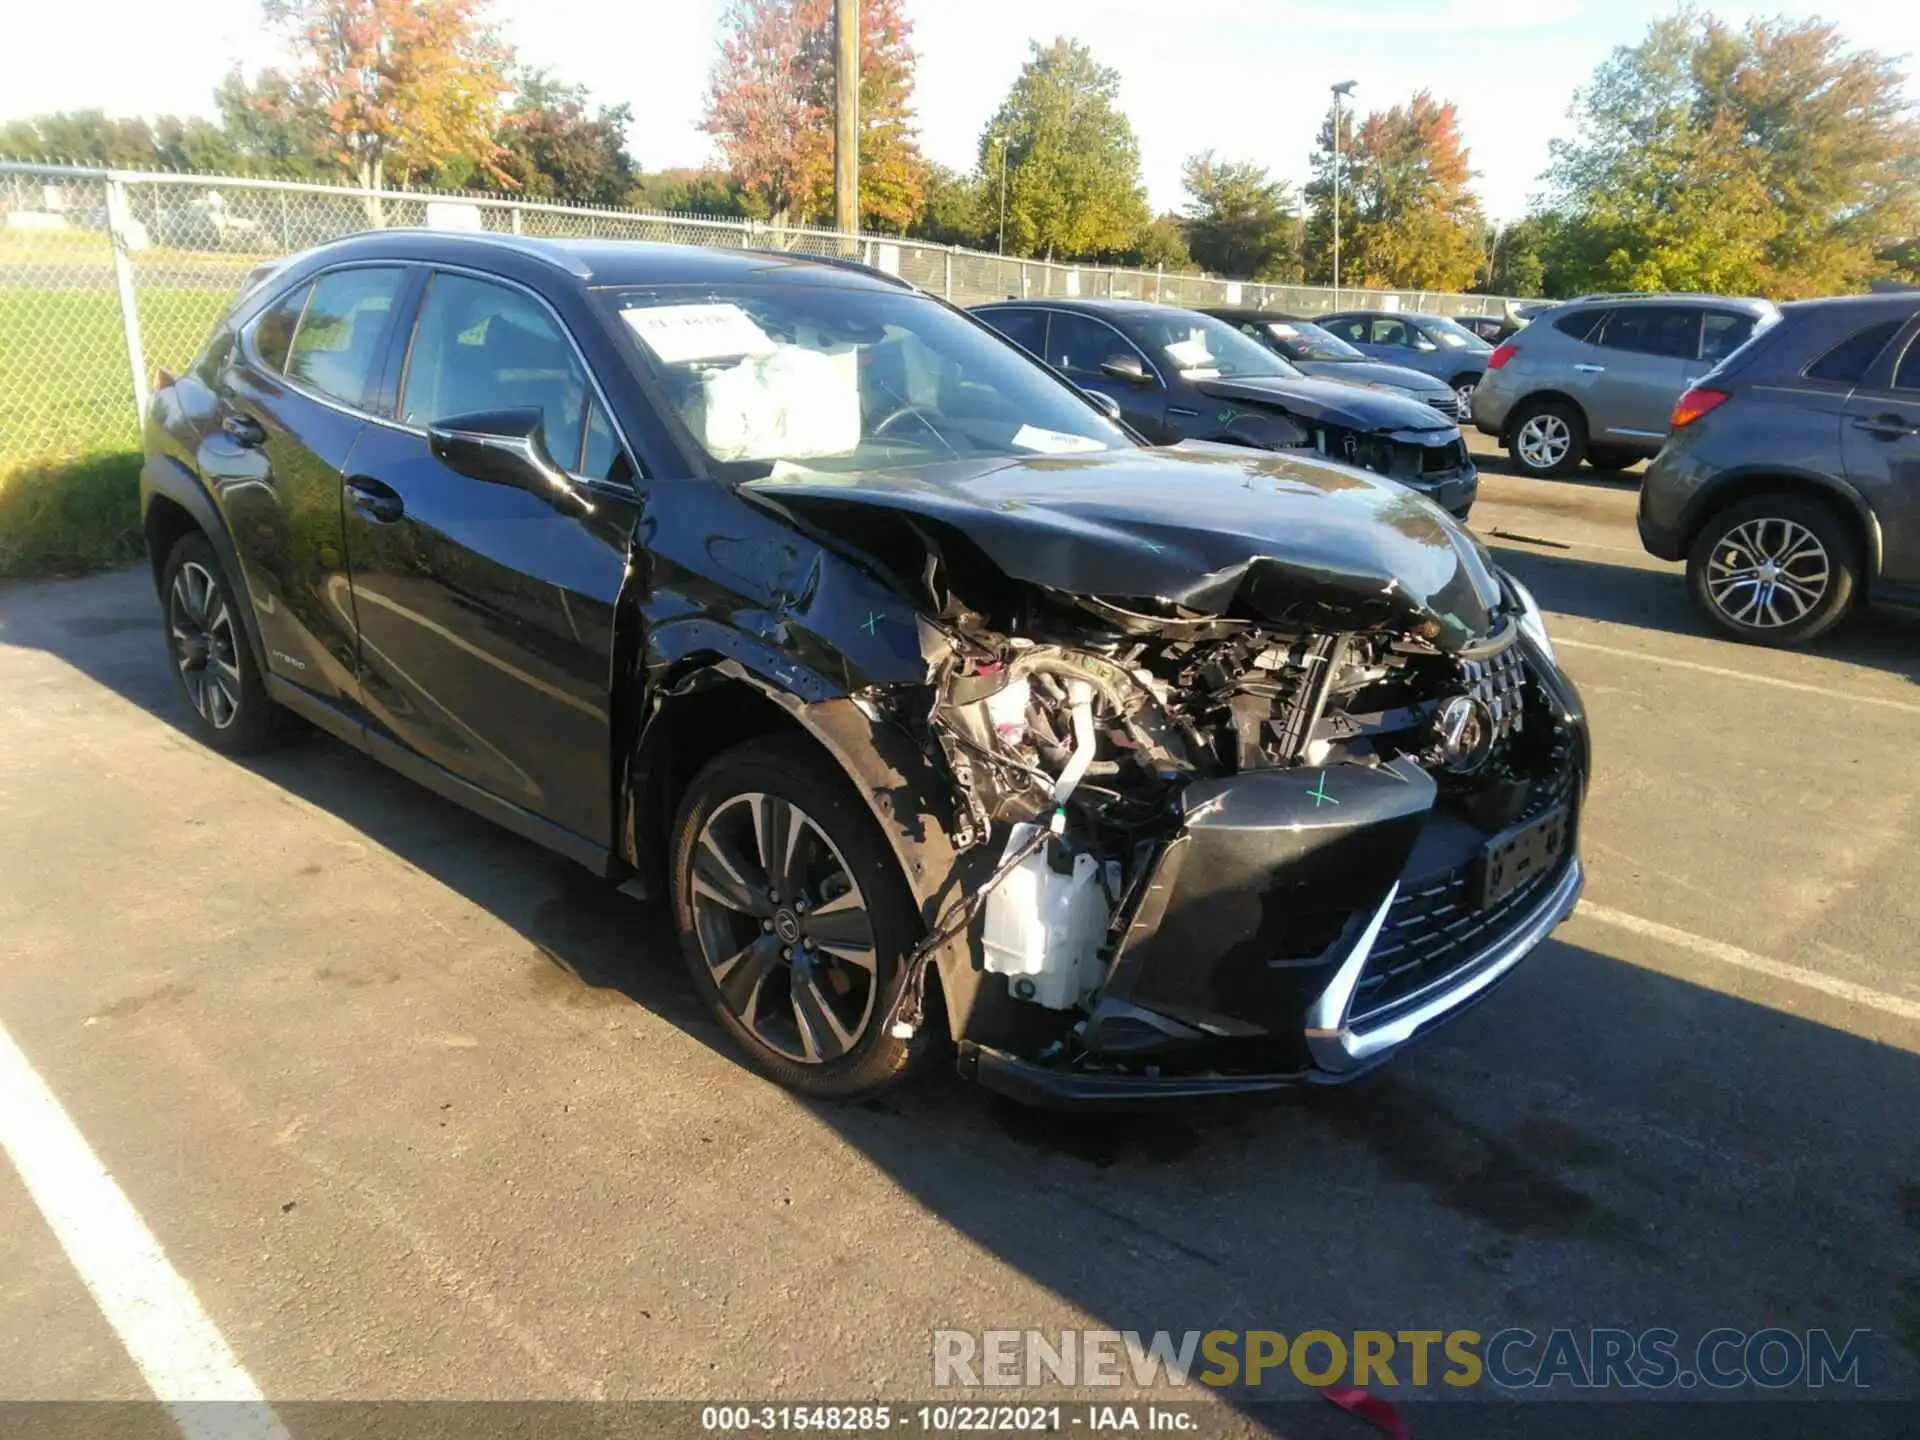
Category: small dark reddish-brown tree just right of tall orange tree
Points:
column 556, row 147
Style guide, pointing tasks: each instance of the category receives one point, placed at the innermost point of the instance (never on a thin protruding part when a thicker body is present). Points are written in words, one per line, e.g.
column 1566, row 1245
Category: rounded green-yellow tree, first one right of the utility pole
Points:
column 1072, row 162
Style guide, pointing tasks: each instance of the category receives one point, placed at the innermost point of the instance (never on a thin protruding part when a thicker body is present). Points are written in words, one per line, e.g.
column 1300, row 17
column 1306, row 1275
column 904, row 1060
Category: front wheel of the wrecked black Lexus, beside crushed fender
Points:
column 794, row 921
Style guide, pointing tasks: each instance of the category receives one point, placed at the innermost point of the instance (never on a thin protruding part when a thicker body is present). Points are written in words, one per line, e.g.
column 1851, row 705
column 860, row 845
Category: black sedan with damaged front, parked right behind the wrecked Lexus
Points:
column 1180, row 375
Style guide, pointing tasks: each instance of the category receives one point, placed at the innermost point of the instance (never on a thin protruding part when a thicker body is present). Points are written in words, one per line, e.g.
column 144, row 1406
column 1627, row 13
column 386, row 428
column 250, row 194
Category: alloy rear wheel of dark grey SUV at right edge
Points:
column 1775, row 571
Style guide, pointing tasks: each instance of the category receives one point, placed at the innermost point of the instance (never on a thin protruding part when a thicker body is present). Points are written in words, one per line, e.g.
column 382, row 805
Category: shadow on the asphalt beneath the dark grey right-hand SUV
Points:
column 1883, row 638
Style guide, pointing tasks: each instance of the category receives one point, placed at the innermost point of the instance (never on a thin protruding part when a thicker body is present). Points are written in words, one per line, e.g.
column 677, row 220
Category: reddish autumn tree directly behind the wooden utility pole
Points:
column 771, row 108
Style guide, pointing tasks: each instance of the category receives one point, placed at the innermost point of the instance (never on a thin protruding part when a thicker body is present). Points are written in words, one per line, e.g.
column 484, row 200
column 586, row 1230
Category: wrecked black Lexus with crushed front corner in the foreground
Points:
column 944, row 713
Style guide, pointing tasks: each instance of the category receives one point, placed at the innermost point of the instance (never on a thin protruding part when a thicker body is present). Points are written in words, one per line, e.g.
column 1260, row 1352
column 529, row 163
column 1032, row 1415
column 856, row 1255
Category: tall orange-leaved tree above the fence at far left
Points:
column 398, row 87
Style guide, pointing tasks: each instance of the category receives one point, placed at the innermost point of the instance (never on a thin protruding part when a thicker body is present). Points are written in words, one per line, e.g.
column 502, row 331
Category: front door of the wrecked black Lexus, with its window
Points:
column 485, row 613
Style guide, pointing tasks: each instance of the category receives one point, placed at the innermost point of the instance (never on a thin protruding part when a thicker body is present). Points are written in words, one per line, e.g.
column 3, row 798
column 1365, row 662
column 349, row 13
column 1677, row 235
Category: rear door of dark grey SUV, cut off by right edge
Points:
column 1881, row 443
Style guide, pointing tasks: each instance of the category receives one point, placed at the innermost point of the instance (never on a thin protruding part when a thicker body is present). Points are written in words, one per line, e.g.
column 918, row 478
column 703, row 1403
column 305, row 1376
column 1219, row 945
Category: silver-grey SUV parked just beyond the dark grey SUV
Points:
column 1596, row 379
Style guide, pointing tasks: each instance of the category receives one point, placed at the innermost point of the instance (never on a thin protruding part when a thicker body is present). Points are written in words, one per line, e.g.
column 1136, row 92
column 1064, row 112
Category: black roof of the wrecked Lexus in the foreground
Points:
column 613, row 262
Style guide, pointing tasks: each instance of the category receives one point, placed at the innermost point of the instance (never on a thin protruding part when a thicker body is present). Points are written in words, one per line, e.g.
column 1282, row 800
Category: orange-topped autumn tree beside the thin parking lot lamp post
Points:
column 1408, row 218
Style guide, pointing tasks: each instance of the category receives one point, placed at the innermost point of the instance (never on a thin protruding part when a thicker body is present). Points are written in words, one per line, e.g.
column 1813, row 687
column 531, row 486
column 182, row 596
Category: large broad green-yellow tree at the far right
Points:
column 1769, row 158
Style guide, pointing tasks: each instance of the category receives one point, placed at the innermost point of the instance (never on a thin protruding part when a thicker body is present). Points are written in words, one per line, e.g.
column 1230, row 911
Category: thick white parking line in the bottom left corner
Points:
column 181, row 1356
